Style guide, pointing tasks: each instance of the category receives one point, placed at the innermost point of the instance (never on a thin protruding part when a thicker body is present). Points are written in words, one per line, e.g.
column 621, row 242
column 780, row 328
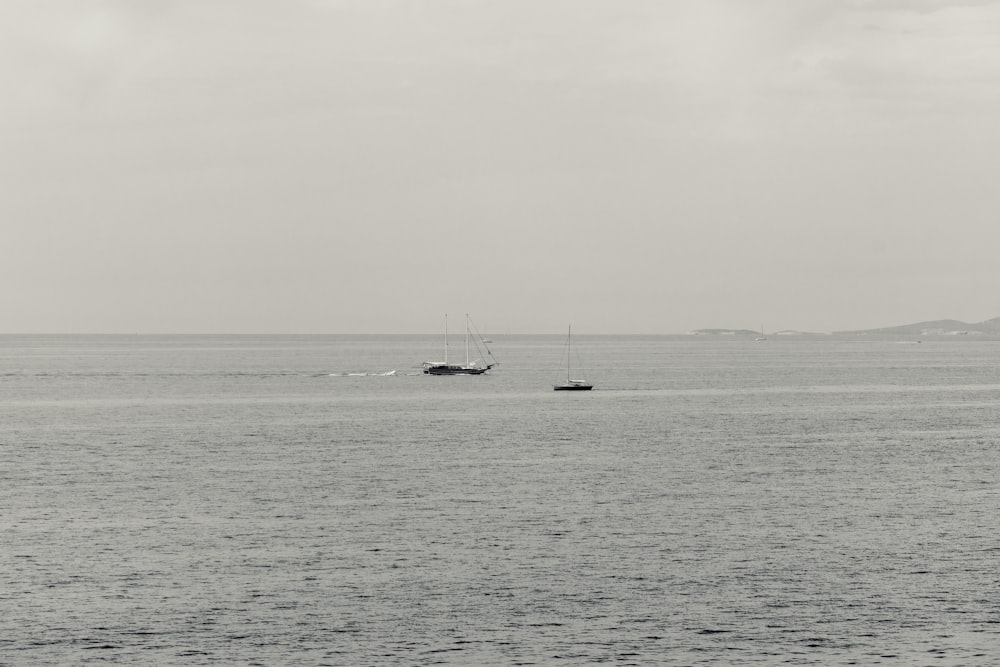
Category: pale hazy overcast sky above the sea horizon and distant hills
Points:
column 637, row 166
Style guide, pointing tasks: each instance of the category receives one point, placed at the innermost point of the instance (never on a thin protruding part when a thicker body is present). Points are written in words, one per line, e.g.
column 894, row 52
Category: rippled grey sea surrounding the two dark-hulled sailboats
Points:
column 317, row 500
